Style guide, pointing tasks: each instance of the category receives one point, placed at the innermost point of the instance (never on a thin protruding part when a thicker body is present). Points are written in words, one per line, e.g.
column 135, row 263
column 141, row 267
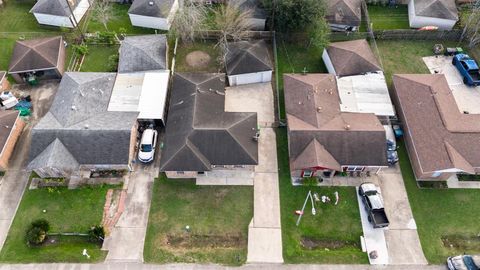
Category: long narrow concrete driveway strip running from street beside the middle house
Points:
column 264, row 232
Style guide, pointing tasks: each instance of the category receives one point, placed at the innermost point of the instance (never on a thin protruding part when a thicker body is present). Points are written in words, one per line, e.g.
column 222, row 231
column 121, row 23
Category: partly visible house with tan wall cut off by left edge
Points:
column 11, row 126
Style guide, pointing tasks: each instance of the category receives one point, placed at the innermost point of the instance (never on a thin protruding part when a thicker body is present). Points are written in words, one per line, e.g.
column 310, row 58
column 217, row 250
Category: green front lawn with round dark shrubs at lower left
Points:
column 67, row 211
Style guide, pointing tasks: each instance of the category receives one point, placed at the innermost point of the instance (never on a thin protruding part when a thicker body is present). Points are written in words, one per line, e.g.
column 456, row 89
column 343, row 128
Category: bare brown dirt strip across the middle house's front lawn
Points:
column 189, row 241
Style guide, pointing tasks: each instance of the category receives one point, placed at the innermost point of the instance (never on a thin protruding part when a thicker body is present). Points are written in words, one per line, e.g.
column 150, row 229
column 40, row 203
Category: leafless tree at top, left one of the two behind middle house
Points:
column 190, row 18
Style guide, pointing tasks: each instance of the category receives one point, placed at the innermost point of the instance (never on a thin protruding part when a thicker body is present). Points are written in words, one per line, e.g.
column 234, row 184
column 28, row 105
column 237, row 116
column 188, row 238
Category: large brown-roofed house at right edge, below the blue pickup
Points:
column 441, row 140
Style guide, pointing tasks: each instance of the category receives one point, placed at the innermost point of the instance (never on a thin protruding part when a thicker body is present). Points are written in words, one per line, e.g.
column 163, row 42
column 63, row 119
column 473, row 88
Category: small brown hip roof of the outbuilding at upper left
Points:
column 36, row 54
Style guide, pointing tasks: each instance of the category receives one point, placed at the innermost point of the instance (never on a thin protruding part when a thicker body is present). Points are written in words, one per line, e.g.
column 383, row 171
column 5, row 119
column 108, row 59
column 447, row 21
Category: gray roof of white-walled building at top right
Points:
column 444, row 9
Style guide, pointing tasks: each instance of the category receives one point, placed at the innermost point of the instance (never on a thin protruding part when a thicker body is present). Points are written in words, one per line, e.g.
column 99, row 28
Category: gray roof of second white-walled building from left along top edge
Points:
column 159, row 8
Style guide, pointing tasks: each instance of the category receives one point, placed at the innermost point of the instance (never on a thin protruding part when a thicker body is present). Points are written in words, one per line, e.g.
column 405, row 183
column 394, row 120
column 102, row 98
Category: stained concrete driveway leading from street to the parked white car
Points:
column 126, row 241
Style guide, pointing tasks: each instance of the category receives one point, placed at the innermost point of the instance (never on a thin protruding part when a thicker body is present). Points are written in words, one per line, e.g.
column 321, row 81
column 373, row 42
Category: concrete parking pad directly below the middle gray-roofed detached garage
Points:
column 256, row 97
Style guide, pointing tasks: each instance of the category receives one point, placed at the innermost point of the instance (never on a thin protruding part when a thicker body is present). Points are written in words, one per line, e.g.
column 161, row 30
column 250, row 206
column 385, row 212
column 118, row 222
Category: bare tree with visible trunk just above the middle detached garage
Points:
column 233, row 24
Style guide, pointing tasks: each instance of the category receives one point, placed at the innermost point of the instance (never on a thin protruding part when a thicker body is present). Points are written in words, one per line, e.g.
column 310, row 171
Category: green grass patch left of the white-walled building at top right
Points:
column 387, row 18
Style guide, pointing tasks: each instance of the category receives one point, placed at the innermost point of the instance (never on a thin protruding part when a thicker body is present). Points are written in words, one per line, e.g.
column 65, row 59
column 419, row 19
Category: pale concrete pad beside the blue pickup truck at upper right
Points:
column 467, row 98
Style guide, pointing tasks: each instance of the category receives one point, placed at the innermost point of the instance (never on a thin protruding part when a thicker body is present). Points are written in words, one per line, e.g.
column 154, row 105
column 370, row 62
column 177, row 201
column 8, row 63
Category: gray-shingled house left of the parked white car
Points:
column 79, row 133
